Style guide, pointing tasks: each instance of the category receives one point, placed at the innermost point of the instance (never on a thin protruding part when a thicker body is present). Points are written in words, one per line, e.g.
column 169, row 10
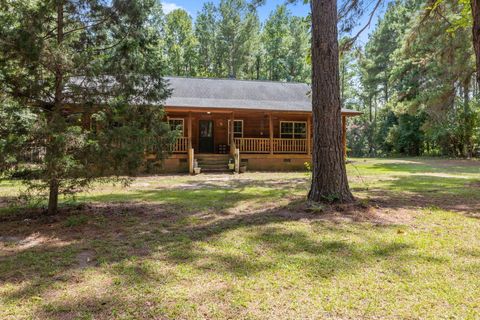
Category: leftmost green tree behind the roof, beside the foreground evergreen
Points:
column 181, row 44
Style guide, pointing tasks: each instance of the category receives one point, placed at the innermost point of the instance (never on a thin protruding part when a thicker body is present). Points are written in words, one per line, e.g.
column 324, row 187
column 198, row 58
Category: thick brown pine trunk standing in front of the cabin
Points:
column 329, row 178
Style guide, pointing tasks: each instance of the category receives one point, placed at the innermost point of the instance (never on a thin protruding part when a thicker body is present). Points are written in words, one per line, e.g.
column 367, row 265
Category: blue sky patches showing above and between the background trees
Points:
column 299, row 9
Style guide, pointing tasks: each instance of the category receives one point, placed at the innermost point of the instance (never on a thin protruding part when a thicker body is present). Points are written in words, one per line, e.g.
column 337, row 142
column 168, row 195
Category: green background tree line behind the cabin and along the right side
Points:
column 414, row 79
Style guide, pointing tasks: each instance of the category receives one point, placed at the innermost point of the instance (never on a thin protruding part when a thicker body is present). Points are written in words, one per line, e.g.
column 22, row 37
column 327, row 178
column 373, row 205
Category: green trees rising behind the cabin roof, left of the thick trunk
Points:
column 228, row 41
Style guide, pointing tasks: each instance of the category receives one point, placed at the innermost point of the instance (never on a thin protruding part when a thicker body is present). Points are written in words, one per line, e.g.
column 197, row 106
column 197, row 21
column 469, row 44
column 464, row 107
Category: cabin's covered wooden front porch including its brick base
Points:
column 263, row 140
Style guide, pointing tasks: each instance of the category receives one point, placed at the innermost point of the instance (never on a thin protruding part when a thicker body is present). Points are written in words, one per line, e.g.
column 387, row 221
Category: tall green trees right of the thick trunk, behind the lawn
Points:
column 415, row 81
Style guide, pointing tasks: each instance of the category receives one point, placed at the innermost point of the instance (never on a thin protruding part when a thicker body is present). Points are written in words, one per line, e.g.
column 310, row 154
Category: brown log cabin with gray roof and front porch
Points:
column 262, row 125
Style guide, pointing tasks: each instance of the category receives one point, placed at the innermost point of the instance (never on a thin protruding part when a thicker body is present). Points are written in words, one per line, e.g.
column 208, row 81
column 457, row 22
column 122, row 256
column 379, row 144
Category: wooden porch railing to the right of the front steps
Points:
column 262, row 145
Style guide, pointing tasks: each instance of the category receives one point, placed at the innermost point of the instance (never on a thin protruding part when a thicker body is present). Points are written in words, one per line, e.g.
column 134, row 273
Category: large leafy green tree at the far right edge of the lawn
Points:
column 434, row 75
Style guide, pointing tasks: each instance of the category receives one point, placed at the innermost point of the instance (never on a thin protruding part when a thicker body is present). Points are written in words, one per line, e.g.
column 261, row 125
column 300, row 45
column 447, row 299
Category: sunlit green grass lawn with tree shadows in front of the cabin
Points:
column 249, row 247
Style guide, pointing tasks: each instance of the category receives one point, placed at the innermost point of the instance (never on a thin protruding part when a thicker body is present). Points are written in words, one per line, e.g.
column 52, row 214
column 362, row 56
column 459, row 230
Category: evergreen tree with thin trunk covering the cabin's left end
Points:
column 89, row 71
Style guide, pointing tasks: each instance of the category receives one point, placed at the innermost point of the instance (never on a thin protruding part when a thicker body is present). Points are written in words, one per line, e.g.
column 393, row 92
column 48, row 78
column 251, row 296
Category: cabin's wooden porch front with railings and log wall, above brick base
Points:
column 250, row 132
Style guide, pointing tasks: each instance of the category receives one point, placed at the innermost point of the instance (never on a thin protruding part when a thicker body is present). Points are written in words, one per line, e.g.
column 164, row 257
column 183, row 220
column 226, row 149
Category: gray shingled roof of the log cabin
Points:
column 240, row 94
